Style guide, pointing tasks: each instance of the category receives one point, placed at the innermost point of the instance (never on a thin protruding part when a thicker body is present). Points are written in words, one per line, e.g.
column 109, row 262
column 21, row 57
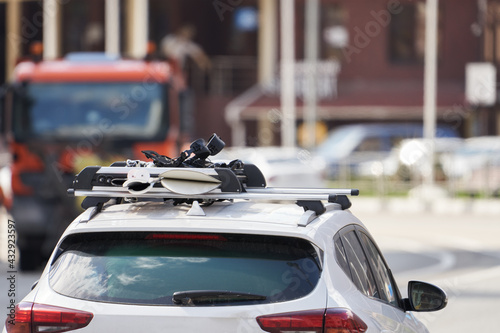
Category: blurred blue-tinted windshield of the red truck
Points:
column 130, row 110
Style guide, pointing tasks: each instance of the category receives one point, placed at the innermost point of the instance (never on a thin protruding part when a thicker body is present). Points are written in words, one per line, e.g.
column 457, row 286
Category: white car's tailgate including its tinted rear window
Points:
column 183, row 282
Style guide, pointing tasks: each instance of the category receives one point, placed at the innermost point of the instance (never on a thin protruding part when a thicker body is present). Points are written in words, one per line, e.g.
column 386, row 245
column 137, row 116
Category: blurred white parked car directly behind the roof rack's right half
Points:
column 281, row 166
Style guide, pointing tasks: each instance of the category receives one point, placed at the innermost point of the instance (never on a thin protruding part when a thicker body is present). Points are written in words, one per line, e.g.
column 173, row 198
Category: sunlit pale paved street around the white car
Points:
column 458, row 251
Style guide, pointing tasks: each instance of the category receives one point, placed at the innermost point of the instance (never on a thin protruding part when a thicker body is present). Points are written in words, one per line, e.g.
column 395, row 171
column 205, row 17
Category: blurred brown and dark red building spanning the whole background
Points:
column 371, row 55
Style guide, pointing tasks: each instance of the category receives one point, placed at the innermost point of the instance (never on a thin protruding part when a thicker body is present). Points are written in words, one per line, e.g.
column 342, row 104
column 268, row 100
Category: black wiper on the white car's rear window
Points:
column 192, row 297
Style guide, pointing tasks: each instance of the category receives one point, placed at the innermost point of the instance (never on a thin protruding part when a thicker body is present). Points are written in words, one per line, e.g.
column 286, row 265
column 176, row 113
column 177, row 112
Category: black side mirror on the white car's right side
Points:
column 424, row 297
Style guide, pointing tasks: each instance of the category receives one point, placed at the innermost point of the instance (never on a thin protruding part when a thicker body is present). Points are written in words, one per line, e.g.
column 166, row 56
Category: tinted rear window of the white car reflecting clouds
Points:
column 150, row 268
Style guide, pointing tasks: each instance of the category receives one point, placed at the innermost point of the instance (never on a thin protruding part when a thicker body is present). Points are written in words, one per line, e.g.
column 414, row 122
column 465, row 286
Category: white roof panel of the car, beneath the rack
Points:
column 232, row 217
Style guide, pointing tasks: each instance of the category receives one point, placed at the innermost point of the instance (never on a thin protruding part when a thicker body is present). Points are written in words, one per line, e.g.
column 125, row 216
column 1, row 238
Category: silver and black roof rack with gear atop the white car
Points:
column 187, row 183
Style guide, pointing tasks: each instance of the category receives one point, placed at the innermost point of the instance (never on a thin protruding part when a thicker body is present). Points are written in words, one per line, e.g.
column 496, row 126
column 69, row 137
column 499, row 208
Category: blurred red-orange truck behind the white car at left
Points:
column 60, row 115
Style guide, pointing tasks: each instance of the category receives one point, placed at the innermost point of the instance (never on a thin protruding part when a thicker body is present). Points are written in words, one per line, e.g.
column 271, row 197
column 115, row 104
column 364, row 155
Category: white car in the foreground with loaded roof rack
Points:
column 212, row 262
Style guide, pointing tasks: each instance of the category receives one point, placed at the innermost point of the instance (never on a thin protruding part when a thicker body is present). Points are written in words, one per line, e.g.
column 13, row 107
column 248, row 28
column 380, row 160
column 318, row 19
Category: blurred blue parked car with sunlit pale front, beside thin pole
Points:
column 348, row 147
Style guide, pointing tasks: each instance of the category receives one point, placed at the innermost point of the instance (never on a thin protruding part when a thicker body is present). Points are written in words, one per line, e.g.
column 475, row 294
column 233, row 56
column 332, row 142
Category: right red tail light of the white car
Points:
column 313, row 321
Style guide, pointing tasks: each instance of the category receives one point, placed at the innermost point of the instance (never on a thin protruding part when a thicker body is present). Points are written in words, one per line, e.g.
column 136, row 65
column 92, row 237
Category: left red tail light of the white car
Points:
column 33, row 318
